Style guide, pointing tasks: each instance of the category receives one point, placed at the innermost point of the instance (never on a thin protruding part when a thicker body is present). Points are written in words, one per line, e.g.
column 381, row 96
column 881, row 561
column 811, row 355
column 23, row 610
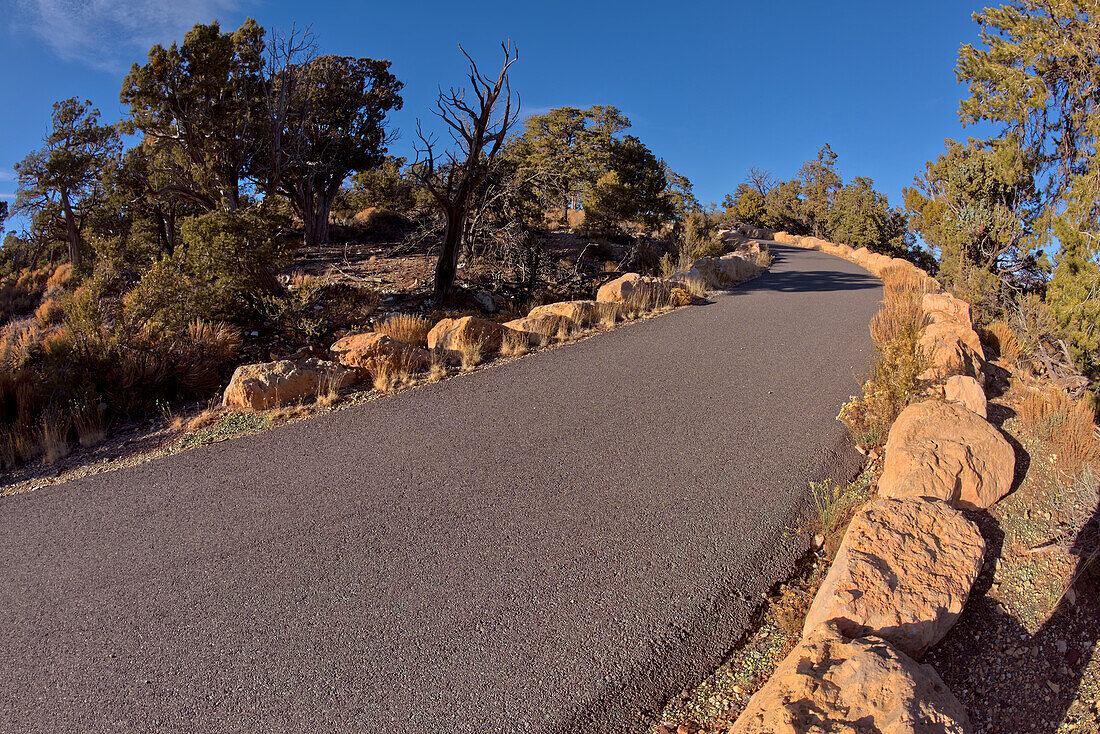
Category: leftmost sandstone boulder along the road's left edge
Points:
column 270, row 385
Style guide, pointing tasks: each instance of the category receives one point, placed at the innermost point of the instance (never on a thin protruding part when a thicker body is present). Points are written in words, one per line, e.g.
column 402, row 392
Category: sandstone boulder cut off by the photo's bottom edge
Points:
column 832, row 684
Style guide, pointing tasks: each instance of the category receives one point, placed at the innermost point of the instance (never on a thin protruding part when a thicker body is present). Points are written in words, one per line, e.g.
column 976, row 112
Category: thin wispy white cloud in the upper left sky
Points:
column 111, row 35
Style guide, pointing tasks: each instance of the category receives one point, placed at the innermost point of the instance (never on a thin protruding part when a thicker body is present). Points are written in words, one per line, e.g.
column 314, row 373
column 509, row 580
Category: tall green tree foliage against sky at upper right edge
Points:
column 1035, row 78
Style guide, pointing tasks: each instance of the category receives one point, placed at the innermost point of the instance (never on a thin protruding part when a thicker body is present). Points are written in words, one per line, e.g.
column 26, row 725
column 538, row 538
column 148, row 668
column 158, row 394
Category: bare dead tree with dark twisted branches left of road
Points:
column 479, row 132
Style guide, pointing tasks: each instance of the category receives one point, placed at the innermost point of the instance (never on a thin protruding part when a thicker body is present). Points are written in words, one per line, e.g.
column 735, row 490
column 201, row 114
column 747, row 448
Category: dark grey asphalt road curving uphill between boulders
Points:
column 556, row 544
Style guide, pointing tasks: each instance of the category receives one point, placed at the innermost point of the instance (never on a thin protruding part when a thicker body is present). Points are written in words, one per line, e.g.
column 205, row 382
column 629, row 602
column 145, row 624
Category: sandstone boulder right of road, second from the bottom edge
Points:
column 904, row 574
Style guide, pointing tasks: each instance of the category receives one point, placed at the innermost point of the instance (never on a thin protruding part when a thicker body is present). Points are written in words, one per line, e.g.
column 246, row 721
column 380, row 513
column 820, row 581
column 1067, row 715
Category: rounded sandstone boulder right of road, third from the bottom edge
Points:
column 944, row 452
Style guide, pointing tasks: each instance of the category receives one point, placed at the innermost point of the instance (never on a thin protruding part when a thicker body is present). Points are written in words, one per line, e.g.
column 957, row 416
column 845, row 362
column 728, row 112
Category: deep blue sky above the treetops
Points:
column 711, row 87
